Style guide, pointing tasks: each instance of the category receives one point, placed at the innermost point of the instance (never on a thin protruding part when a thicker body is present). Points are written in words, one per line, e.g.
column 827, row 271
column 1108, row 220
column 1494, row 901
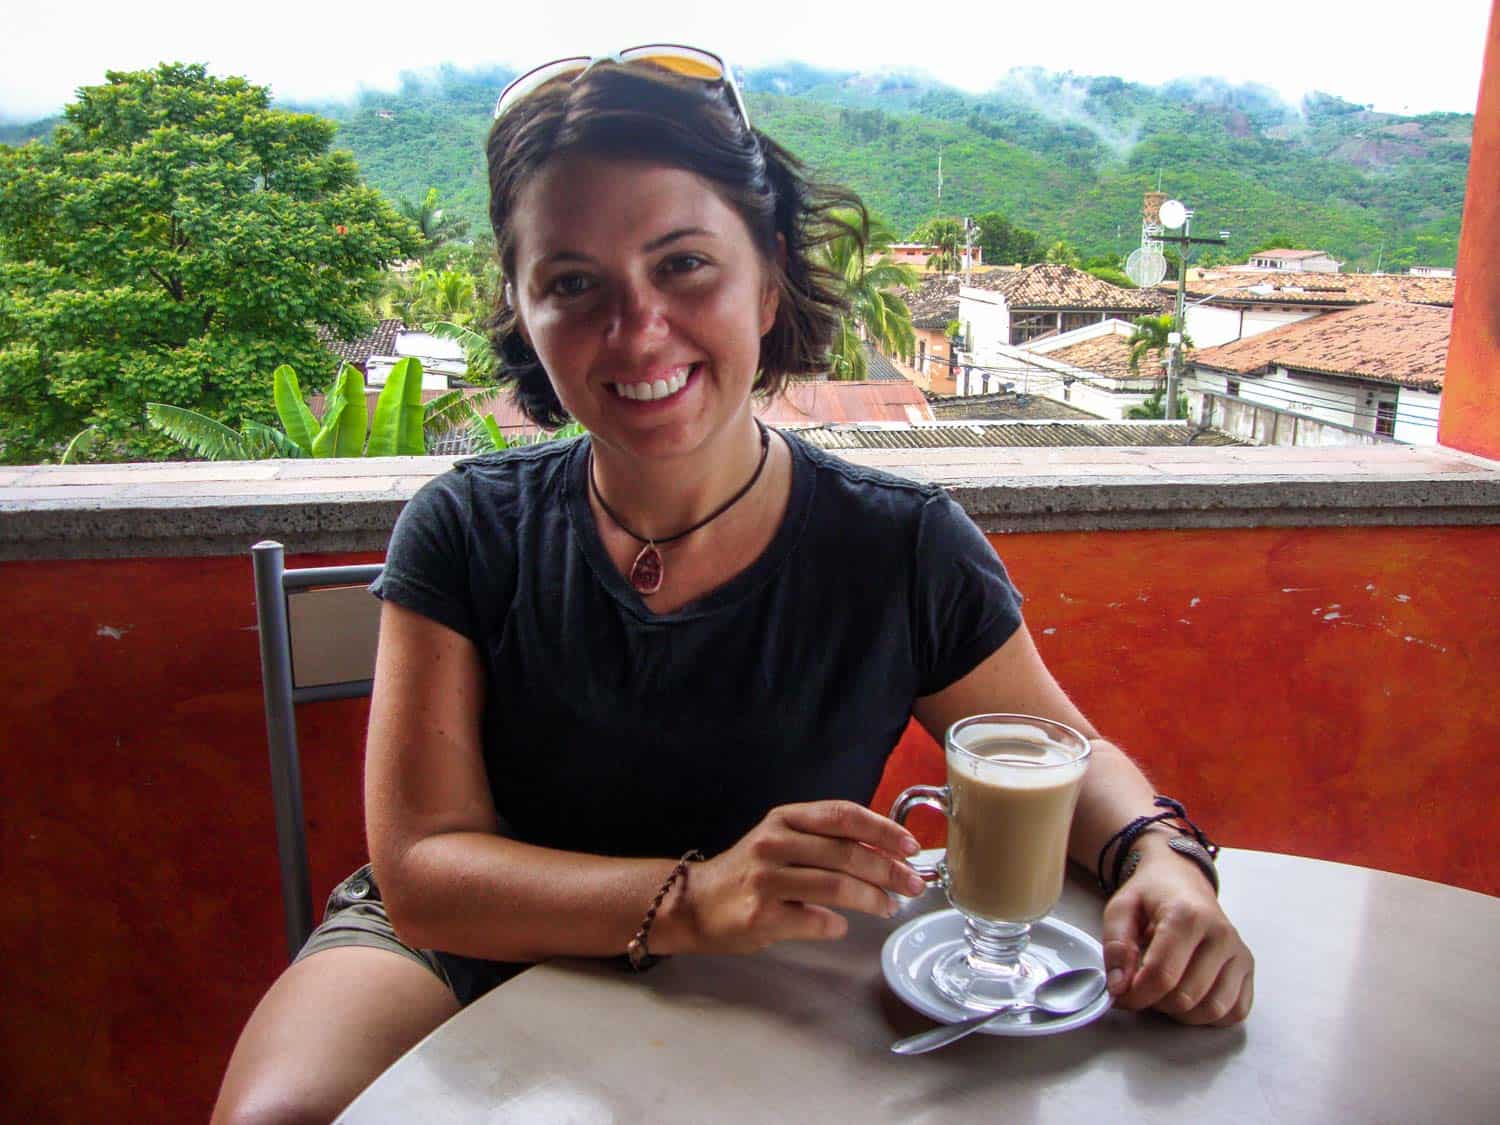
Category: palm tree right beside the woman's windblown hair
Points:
column 875, row 311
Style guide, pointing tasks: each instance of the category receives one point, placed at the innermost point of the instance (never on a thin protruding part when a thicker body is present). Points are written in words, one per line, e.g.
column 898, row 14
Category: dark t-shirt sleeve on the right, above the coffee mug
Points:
column 965, row 604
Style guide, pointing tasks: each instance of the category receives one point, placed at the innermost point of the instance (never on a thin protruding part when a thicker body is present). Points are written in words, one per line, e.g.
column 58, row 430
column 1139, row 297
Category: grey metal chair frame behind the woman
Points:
column 274, row 583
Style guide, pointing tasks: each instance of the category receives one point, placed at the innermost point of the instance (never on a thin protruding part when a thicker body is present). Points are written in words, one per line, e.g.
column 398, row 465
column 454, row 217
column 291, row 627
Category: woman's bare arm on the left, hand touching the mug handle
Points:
column 452, row 883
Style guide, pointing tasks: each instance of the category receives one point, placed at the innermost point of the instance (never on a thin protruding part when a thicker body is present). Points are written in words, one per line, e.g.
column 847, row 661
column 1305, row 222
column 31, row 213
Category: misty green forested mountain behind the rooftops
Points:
column 1066, row 157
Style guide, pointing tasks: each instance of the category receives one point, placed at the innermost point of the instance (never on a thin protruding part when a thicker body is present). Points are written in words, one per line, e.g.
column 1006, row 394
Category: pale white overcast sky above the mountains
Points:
column 314, row 52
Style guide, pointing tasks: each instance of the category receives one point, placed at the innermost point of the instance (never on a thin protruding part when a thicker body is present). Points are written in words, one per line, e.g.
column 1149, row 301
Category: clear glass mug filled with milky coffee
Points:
column 1013, row 784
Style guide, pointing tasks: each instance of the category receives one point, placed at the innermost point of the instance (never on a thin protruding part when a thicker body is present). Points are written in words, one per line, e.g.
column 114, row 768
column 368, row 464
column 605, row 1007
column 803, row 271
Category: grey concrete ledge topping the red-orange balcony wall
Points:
column 350, row 505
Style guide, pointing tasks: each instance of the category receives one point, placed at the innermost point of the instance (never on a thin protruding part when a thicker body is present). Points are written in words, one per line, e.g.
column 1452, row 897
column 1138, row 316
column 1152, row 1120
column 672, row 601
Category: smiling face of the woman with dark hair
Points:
column 646, row 299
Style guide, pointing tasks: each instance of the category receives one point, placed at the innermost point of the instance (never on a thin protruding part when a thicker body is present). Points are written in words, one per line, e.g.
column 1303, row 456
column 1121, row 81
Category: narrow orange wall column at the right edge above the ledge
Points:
column 1471, row 412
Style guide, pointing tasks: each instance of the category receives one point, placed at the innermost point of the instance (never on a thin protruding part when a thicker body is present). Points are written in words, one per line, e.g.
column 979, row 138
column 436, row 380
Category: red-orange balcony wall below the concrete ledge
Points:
column 1325, row 692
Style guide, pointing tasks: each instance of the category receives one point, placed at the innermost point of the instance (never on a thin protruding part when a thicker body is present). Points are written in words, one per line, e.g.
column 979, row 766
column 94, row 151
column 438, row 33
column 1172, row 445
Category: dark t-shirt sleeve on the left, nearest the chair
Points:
column 427, row 563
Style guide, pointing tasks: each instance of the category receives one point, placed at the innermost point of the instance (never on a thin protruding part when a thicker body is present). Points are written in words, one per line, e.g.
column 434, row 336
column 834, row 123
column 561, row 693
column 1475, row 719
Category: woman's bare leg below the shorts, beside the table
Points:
column 326, row 1031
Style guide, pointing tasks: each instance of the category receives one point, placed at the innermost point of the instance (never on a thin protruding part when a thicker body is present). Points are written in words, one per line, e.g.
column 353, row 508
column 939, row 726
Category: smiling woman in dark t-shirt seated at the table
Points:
column 683, row 634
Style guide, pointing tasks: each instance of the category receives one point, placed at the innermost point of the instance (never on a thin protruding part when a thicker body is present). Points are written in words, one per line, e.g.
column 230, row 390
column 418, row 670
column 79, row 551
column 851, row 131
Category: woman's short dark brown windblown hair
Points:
column 644, row 113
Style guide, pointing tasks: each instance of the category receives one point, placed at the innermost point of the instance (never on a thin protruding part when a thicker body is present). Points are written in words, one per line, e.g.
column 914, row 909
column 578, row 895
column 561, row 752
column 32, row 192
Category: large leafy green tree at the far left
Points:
column 175, row 239
